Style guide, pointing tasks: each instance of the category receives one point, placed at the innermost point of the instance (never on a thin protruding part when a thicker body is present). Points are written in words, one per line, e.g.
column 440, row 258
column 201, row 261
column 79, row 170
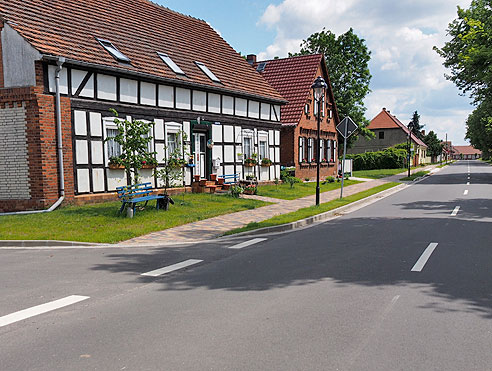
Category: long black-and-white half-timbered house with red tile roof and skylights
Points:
column 144, row 60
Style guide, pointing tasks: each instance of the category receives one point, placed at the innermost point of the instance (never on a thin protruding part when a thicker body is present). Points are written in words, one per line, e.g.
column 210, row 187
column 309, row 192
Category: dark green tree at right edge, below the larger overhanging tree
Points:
column 479, row 128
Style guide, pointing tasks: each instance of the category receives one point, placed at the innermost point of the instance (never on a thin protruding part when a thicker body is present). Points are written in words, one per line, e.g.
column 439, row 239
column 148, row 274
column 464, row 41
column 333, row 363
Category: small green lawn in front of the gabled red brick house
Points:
column 283, row 191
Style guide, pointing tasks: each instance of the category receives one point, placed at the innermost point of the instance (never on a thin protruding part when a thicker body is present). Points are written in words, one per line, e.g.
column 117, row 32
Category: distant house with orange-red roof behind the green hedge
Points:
column 389, row 132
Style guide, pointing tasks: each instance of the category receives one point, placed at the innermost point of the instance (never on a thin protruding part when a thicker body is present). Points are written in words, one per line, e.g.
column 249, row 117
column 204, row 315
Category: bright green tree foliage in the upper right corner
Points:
column 469, row 52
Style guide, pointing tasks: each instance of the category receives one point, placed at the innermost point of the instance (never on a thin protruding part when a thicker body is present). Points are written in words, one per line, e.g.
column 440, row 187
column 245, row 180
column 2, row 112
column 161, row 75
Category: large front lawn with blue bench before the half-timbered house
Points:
column 101, row 222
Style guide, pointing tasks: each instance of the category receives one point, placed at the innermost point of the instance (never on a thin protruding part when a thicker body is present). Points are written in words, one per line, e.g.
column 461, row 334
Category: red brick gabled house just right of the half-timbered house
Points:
column 293, row 77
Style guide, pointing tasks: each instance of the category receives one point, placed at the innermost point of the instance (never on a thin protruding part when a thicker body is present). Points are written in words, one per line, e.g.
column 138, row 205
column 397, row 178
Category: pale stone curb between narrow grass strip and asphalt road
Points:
column 326, row 216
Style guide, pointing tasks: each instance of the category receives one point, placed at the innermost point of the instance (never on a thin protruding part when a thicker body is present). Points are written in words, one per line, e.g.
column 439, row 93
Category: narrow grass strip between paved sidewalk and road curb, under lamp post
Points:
column 312, row 210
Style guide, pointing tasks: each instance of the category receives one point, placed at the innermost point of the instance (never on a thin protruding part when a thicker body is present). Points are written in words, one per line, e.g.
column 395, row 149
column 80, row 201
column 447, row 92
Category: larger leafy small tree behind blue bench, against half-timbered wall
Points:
column 134, row 139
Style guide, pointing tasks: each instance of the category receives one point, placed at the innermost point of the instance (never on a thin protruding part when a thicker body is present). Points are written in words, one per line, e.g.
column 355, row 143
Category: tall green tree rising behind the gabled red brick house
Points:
column 347, row 61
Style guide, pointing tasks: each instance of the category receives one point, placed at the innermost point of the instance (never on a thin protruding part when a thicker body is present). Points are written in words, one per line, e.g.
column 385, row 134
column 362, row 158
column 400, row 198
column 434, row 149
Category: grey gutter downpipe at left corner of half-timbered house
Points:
column 59, row 63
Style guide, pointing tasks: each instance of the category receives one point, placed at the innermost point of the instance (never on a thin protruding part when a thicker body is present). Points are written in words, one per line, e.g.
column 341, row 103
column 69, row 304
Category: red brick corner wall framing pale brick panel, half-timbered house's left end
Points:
column 40, row 132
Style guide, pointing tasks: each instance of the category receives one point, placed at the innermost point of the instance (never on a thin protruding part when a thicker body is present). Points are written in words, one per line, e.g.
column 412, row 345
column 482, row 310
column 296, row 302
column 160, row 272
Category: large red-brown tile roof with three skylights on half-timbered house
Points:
column 139, row 29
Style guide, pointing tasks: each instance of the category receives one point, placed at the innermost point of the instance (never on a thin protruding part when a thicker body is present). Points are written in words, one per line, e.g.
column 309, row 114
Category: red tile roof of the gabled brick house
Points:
column 292, row 77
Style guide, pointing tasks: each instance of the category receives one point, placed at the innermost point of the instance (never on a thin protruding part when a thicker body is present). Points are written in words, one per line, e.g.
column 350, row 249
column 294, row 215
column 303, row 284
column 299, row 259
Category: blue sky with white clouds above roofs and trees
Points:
column 407, row 74
